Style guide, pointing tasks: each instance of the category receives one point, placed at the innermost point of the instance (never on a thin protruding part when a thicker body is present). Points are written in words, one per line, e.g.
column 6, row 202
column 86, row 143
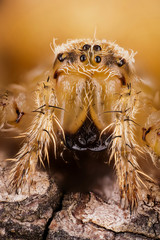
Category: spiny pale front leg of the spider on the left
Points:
column 38, row 138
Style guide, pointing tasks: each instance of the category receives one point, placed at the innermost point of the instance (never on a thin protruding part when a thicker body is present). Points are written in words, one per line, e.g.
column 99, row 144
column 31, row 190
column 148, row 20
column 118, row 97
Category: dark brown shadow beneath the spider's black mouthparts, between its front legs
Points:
column 81, row 171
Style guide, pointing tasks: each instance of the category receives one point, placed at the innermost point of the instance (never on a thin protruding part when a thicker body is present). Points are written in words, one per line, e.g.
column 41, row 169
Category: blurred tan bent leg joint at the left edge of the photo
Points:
column 15, row 108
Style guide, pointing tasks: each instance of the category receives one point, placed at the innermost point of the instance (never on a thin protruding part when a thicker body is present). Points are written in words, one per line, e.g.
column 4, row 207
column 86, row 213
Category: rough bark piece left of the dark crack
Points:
column 24, row 215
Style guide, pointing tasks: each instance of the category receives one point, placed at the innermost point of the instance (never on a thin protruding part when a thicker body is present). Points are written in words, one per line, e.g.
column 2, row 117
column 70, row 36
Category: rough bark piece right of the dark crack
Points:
column 85, row 216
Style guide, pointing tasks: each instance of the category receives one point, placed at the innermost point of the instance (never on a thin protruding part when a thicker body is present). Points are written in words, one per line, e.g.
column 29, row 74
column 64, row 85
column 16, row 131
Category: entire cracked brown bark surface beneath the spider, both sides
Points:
column 50, row 214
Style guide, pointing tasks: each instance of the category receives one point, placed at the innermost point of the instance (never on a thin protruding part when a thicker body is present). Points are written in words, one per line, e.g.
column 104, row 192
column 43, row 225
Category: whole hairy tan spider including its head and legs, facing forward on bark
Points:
column 92, row 100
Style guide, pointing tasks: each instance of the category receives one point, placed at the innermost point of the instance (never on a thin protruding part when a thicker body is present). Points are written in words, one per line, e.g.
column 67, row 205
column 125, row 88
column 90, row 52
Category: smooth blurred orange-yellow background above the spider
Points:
column 27, row 28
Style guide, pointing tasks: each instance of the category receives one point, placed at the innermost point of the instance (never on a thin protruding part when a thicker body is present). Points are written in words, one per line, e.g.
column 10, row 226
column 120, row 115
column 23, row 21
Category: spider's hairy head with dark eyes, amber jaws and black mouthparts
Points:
column 90, row 76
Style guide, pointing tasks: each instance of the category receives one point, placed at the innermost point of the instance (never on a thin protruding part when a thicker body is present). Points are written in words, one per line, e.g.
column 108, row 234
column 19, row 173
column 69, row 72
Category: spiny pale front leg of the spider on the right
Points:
column 125, row 149
